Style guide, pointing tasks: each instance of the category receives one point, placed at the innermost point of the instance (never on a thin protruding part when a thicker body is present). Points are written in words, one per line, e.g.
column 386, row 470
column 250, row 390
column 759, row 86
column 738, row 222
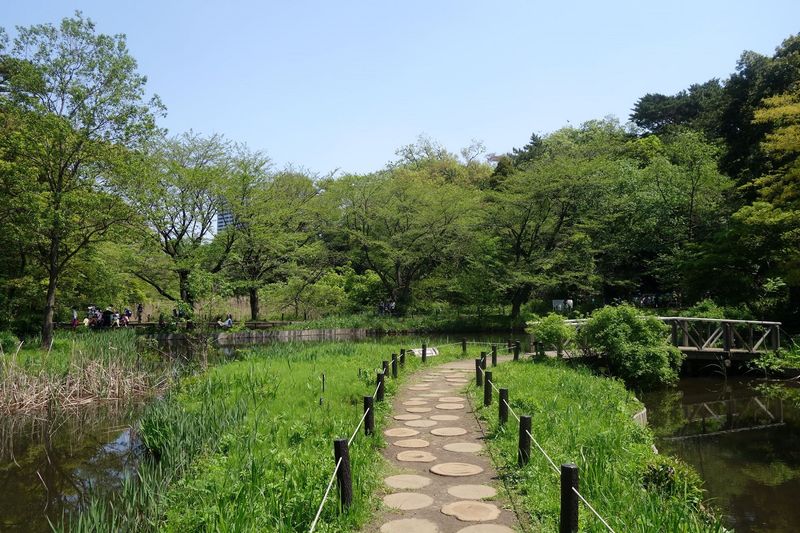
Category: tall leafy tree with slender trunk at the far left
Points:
column 76, row 100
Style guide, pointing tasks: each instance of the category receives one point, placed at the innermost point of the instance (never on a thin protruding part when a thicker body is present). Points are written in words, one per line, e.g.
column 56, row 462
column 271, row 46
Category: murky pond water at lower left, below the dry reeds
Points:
column 51, row 463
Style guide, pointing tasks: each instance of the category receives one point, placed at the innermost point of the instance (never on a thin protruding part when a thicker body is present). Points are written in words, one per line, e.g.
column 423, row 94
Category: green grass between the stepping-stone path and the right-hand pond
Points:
column 581, row 418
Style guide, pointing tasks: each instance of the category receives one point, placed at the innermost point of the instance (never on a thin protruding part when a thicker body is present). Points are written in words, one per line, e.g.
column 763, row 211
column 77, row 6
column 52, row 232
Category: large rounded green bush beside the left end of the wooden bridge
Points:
column 635, row 346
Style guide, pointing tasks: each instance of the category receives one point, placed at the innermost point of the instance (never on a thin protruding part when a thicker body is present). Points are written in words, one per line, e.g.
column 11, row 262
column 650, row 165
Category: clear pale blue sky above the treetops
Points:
column 342, row 84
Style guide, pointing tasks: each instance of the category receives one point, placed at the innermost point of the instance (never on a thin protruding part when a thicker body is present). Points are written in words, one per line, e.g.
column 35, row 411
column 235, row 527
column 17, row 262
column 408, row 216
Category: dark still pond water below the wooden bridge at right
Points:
column 743, row 439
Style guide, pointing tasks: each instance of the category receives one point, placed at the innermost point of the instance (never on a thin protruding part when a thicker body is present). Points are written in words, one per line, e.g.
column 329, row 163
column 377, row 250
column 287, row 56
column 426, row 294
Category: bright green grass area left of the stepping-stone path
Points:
column 247, row 445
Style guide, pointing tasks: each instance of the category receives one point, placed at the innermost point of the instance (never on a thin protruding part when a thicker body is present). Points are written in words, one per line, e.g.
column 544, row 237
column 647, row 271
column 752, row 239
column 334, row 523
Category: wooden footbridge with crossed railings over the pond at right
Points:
column 712, row 339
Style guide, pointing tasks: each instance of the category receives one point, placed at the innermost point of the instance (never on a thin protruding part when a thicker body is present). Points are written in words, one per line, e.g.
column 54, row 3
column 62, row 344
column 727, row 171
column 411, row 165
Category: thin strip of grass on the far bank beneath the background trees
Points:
column 443, row 322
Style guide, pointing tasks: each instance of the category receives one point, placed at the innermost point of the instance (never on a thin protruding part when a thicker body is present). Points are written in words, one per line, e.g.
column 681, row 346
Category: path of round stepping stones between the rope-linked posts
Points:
column 444, row 483
